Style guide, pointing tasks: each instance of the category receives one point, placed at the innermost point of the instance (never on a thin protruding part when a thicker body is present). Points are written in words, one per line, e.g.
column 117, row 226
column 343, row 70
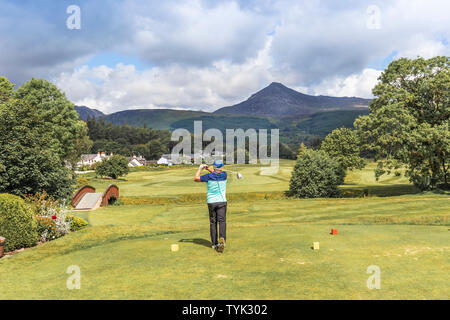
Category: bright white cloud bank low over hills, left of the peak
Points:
column 175, row 86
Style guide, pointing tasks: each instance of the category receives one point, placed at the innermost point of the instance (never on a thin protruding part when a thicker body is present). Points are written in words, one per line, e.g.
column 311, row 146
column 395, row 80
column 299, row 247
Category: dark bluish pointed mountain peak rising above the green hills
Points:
column 277, row 100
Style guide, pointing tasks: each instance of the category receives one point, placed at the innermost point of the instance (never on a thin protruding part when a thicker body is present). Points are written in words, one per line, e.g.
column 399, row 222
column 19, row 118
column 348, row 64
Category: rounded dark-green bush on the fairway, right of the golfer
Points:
column 315, row 175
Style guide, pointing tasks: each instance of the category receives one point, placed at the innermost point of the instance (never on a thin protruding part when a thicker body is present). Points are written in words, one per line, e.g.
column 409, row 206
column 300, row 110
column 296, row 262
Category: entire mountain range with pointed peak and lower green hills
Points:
column 297, row 115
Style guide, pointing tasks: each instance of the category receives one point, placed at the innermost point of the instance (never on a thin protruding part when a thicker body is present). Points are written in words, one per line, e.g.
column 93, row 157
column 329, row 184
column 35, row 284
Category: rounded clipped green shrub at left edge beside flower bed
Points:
column 17, row 223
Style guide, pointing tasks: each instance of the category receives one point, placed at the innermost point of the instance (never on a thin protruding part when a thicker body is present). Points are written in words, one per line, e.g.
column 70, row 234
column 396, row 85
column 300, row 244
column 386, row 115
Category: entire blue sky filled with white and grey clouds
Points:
column 206, row 54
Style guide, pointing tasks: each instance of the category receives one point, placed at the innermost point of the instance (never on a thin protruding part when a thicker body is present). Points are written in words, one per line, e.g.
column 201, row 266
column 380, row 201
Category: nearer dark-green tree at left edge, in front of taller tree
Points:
column 29, row 161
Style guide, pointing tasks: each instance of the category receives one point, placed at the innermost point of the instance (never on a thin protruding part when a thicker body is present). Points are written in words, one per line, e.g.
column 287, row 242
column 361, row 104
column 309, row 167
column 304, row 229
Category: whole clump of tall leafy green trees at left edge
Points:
column 39, row 133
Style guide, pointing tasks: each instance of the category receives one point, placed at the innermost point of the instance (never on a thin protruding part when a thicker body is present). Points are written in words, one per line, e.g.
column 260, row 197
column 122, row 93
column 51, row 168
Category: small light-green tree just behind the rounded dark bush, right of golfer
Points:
column 343, row 145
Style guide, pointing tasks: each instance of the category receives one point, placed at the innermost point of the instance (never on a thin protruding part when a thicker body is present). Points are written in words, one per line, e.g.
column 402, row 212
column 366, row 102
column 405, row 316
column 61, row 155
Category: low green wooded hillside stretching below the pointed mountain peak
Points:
column 292, row 129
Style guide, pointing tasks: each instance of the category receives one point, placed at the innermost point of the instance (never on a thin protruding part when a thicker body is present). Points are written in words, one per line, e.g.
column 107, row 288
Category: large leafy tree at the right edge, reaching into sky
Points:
column 408, row 124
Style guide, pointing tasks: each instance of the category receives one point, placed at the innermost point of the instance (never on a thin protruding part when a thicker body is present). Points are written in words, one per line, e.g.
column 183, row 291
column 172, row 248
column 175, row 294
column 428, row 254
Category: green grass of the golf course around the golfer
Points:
column 125, row 252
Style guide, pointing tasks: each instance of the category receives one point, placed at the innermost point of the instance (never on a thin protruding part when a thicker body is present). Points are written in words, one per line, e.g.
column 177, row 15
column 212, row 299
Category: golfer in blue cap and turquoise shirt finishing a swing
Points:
column 217, row 203
